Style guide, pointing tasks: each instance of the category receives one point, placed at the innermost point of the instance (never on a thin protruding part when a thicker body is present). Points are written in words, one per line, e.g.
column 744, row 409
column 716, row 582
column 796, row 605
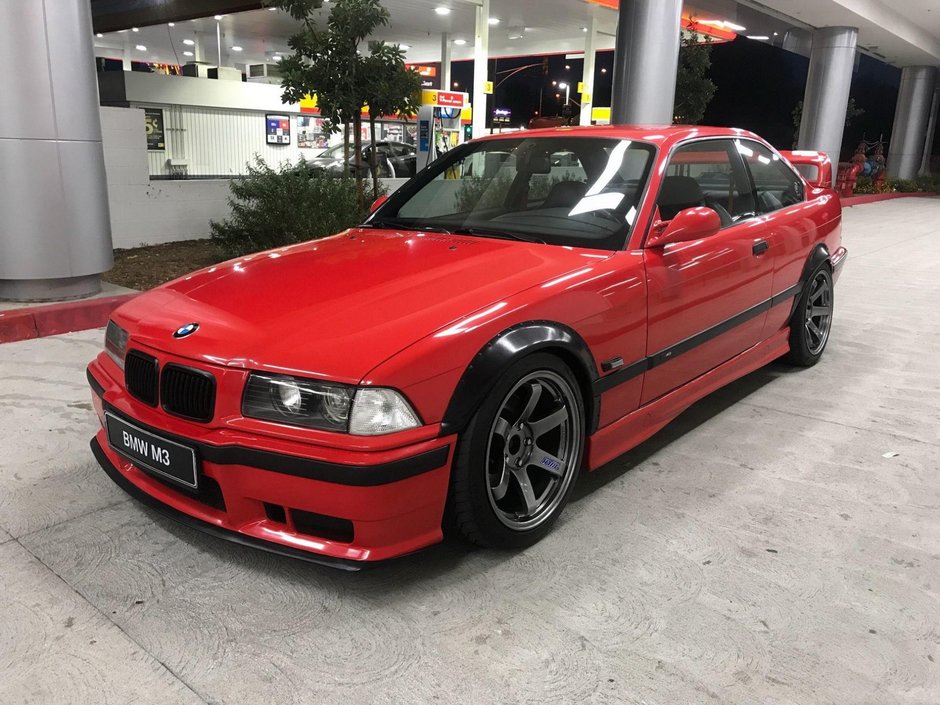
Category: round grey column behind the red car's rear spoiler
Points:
column 831, row 62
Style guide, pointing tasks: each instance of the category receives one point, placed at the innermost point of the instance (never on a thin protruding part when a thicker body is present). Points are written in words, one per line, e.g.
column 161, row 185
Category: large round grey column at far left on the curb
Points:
column 55, row 233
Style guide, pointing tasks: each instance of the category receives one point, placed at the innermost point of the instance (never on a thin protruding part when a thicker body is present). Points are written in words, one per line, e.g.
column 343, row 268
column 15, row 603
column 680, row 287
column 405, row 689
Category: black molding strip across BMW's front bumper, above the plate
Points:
column 336, row 473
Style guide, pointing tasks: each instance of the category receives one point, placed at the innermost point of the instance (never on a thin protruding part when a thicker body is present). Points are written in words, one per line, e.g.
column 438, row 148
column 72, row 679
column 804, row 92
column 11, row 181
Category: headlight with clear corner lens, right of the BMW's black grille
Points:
column 296, row 401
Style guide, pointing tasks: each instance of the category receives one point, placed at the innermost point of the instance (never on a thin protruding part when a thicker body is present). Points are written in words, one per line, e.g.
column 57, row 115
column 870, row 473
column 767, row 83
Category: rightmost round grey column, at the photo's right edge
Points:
column 909, row 134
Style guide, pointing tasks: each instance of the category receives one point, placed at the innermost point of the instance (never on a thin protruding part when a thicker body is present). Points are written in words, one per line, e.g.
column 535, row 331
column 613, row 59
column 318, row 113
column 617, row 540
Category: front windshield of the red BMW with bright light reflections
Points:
column 564, row 190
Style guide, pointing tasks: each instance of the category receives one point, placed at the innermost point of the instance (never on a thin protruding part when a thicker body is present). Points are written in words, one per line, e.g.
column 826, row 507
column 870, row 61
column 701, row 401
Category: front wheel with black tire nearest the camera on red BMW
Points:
column 507, row 445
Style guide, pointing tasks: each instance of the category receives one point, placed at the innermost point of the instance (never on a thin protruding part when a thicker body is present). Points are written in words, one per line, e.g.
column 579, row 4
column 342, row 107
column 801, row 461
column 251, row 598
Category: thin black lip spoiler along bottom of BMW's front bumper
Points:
column 219, row 532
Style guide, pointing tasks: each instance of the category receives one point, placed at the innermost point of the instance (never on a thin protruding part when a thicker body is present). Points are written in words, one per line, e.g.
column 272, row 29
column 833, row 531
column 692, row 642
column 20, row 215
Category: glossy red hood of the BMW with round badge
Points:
column 338, row 307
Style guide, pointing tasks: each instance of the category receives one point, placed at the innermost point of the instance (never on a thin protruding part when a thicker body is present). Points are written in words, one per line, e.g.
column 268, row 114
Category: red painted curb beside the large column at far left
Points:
column 40, row 321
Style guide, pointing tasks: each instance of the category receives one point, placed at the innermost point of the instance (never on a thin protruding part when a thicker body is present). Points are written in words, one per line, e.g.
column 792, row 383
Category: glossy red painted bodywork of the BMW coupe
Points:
column 410, row 311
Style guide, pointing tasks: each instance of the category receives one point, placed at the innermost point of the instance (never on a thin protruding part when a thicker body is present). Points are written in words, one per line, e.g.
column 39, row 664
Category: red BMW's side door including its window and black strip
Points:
column 705, row 297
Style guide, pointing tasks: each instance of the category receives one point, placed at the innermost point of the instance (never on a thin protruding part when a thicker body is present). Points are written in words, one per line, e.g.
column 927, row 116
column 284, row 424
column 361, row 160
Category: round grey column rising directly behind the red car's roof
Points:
column 645, row 62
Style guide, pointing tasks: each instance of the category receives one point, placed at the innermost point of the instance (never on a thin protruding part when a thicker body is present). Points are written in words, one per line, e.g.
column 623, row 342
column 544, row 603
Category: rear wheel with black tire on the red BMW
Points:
column 812, row 319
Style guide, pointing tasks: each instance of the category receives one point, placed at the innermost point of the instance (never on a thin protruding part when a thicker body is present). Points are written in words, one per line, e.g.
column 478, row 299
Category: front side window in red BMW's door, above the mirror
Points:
column 706, row 173
